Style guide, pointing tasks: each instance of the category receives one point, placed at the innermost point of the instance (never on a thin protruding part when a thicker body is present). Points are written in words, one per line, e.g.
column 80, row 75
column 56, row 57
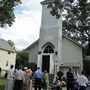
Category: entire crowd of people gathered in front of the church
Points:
column 19, row 79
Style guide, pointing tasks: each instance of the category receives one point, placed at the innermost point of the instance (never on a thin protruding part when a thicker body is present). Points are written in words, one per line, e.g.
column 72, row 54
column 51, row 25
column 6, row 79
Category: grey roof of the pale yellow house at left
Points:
column 5, row 46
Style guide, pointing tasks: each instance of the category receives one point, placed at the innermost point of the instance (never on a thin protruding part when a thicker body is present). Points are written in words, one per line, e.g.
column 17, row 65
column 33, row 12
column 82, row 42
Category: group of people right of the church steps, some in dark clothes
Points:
column 74, row 81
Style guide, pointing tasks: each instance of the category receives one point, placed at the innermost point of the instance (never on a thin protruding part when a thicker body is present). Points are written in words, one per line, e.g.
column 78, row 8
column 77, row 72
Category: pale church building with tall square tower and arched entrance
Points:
column 53, row 50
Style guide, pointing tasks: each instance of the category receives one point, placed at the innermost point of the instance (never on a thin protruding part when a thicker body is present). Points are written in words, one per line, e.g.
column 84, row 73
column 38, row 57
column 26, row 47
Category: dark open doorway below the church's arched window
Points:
column 45, row 62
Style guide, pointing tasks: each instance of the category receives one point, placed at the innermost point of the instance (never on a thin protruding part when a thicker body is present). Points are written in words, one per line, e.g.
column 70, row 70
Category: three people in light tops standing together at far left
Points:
column 18, row 79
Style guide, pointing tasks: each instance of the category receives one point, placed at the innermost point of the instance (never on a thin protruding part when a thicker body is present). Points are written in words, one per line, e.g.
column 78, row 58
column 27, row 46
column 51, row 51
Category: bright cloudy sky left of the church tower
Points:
column 26, row 28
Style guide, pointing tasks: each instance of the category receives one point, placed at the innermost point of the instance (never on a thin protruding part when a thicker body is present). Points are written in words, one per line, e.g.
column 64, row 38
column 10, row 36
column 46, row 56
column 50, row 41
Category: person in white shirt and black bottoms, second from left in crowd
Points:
column 19, row 79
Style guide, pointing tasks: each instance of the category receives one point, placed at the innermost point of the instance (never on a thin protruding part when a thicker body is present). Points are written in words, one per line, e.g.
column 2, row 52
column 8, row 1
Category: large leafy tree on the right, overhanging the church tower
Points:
column 77, row 18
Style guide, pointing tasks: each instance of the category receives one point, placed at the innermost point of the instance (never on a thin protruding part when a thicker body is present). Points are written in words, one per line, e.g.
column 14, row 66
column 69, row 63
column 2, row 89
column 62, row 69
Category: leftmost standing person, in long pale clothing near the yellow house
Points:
column 10, row 77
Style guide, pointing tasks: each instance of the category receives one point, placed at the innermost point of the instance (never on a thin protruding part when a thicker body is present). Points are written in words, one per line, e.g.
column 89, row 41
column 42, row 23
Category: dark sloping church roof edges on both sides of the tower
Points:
column 30, row 46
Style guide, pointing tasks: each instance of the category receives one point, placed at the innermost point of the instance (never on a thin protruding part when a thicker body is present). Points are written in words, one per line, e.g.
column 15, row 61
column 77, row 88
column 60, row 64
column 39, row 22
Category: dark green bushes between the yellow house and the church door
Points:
column 22, row 60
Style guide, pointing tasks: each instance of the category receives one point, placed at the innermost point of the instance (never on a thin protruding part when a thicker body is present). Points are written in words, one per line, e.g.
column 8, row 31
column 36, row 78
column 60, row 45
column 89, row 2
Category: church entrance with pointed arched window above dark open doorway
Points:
column 47, row 61
